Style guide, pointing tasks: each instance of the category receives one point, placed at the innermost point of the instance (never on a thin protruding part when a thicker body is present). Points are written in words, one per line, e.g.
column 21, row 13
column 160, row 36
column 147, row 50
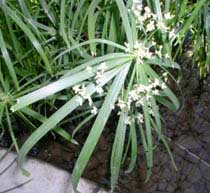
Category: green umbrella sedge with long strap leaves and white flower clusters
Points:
column 97, row 57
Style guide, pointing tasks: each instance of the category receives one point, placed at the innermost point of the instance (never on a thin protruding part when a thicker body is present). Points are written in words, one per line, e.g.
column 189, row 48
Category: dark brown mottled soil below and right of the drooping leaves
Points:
column 189, row 134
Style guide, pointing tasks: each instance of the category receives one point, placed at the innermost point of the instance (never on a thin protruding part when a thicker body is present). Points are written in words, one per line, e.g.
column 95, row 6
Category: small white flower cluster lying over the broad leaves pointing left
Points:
column 81, row 90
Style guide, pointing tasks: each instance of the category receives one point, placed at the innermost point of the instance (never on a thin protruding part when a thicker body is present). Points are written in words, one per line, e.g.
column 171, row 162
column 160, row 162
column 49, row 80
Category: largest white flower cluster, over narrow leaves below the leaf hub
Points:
column 137, row 97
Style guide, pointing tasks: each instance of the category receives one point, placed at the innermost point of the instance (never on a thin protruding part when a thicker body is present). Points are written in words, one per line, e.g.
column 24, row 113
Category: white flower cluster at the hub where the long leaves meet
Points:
column 140, row 51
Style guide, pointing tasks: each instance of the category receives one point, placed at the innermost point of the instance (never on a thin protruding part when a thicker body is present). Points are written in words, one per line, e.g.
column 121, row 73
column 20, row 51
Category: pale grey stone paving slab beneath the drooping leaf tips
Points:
column 44, row 177
